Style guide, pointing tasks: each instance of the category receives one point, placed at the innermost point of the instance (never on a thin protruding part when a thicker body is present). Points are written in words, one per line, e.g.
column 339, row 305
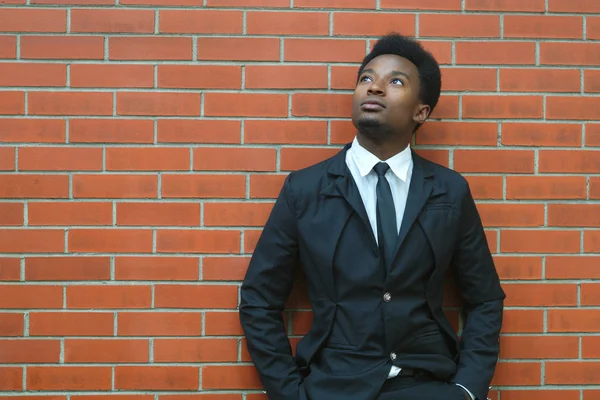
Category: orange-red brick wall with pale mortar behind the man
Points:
column 142, row 143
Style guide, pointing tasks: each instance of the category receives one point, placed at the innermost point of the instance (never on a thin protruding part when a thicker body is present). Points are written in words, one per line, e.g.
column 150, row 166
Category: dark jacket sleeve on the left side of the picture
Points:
column 264, row 292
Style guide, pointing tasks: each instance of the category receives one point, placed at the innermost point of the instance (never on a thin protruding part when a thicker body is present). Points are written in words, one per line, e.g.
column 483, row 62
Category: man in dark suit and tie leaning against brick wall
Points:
column 375, row 229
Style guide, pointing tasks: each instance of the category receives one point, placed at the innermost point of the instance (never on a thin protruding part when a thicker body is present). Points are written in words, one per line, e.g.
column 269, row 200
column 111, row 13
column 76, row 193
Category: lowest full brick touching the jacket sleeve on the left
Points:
column 230, row 377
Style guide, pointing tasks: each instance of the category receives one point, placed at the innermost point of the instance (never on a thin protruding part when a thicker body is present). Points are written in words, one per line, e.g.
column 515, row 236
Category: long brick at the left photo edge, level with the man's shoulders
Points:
column 34, row 186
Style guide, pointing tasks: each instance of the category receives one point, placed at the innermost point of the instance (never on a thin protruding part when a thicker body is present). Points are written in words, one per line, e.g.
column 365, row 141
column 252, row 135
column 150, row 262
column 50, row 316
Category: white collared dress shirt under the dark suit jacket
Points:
column 361, row 162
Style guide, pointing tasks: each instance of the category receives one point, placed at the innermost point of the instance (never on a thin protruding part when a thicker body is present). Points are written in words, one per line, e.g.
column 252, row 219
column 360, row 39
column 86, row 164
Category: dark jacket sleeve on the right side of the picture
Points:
column 483, row 302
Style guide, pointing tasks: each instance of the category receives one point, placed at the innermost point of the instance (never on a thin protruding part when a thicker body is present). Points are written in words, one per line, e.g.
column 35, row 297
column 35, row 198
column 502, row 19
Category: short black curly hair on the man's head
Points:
column 409, row 48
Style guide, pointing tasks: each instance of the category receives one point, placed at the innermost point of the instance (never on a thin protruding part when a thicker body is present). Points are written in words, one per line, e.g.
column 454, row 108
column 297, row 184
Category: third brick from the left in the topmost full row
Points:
column 200, row 21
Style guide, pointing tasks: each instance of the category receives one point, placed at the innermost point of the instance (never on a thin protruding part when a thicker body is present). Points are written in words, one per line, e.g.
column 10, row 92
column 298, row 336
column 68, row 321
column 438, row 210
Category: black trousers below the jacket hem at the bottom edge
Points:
column 409, row 388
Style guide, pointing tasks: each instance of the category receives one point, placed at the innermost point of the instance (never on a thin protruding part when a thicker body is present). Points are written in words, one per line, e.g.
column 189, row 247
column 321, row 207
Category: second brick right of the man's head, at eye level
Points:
column 539, row 80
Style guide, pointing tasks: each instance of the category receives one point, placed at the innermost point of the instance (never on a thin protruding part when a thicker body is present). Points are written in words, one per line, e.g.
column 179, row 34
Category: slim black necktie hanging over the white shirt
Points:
column 387, row 231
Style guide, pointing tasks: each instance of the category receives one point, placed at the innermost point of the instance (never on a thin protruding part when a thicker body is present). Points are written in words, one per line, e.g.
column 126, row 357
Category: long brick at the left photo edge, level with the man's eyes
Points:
column 33, row 74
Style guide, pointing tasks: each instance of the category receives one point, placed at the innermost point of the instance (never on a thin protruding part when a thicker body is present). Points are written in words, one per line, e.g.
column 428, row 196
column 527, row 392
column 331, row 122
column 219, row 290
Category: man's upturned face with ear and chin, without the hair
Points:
column 386, row 98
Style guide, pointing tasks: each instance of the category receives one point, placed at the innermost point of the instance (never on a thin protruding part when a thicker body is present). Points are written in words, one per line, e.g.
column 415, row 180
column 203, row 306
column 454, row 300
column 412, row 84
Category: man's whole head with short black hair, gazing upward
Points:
column 398, row 87
